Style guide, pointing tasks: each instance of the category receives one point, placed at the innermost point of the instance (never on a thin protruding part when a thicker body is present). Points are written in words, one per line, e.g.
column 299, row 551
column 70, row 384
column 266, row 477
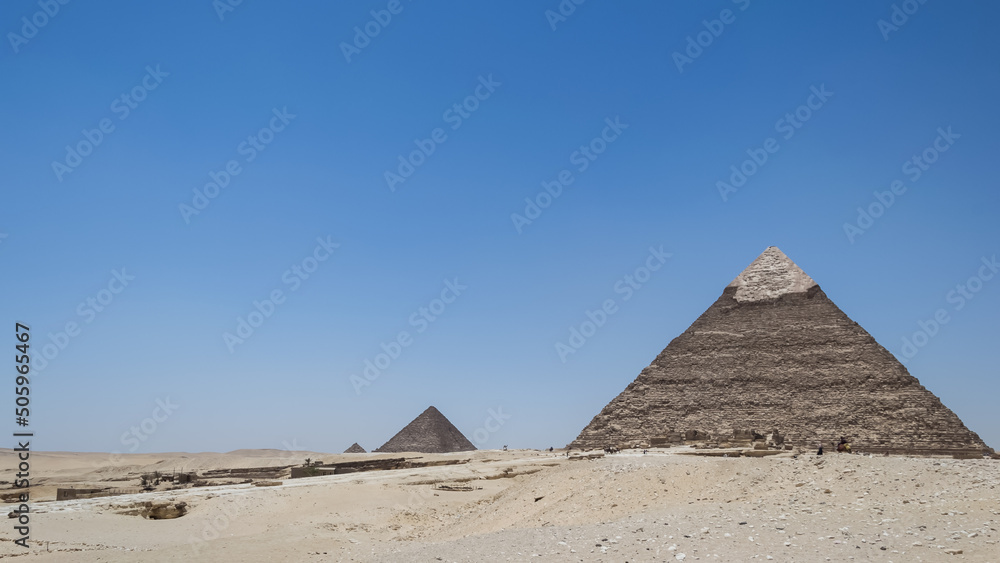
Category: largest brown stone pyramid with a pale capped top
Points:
column 774, row 353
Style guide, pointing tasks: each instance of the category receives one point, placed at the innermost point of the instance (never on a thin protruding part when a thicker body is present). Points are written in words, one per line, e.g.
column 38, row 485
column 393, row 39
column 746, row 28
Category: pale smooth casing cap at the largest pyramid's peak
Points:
column 769, row 276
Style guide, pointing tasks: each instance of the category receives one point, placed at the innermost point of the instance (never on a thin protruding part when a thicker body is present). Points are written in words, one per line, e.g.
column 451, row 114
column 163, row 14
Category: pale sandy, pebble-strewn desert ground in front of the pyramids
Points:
column 637, row 508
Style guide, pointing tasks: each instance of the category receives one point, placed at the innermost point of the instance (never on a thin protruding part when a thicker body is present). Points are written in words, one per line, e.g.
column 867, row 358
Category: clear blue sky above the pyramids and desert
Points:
column 196, row 86
